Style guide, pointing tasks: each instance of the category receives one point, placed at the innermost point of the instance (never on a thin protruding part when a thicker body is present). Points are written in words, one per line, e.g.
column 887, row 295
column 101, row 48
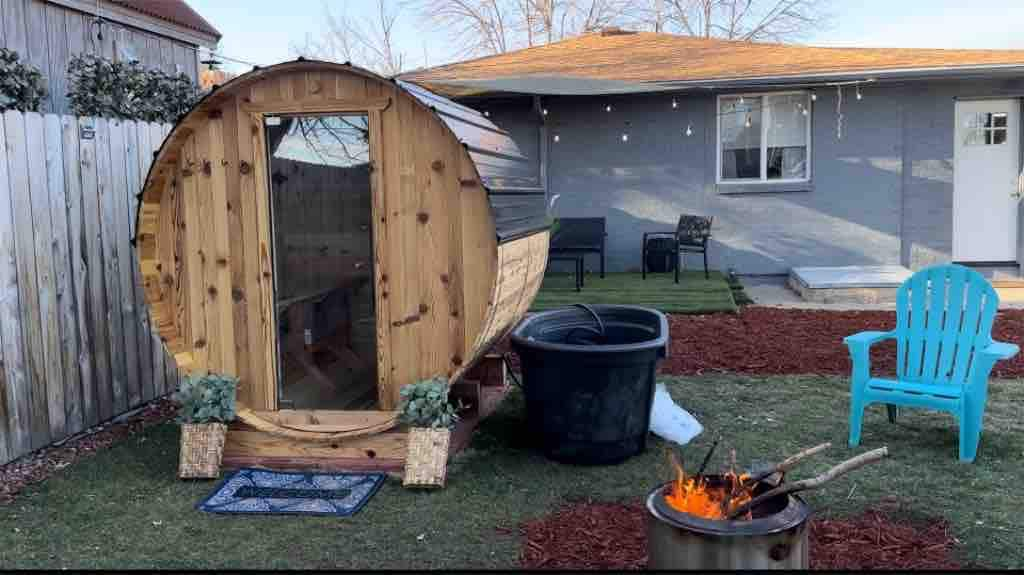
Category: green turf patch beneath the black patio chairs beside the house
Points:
column 694, row 294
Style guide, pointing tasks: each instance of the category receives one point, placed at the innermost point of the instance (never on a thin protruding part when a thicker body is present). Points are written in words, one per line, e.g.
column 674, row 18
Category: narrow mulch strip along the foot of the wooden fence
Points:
column 40, row 465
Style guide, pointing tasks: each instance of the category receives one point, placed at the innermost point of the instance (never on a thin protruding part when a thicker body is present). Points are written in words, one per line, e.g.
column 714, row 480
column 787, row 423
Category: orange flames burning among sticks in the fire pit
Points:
column 694, row 495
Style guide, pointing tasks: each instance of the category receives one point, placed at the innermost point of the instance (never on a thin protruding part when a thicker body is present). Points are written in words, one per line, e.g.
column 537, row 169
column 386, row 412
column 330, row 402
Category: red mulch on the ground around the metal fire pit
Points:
column 613, row 537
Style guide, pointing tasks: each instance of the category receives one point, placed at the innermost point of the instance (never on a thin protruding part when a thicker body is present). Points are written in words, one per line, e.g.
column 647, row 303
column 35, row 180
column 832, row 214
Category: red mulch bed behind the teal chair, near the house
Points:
column 769, row 341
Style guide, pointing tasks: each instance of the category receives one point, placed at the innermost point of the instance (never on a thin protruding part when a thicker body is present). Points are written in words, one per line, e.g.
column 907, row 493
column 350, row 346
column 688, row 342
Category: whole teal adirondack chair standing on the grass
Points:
column 945, row 352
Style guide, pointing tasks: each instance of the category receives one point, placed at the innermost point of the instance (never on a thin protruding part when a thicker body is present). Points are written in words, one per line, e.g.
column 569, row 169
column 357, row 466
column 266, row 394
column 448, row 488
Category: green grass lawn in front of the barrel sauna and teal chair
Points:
column 124, row 508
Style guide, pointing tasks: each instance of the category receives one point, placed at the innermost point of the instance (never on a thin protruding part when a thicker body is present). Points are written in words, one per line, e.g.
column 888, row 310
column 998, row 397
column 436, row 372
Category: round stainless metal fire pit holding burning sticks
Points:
column 776, row 539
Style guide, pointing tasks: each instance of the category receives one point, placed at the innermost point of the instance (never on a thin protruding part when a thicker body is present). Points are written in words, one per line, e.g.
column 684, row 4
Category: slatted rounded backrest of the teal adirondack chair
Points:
column 945, row 315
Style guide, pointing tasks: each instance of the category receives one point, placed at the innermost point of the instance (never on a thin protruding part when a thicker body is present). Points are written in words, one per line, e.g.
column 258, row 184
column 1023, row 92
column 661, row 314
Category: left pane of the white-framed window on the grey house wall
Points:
column 741, row 129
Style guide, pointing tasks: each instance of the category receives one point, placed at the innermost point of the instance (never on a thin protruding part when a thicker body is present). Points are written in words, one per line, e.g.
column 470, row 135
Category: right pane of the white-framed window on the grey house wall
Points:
column 786, row 118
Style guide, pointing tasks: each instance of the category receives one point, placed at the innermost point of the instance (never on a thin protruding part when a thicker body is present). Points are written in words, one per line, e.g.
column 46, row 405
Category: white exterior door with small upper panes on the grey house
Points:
column 987, row 166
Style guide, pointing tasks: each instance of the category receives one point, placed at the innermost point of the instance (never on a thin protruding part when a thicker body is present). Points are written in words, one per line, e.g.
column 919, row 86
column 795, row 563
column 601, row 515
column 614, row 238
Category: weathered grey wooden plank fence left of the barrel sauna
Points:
column 75, row 338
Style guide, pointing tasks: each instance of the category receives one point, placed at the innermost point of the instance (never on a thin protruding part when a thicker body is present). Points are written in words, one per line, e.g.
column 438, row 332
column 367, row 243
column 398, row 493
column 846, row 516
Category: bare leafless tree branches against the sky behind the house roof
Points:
column 490, row 27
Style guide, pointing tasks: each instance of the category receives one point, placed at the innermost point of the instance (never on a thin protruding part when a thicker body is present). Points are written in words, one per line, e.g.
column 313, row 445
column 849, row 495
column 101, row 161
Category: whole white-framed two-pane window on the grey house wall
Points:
column 764, row 138
